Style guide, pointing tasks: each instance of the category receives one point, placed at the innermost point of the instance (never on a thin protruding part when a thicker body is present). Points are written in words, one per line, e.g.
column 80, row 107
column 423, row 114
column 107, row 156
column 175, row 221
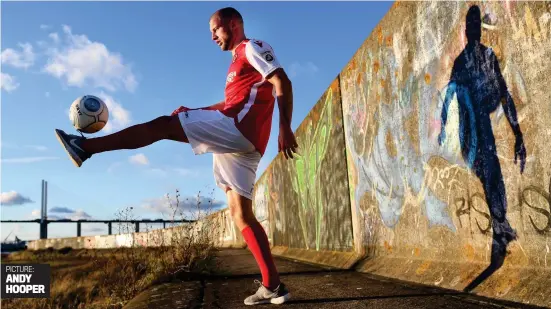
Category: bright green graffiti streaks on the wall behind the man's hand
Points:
column 306, row 170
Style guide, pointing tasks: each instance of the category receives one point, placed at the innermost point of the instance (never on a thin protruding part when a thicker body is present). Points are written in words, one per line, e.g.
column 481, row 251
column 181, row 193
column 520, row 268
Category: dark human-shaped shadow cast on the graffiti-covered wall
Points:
column 479, row 86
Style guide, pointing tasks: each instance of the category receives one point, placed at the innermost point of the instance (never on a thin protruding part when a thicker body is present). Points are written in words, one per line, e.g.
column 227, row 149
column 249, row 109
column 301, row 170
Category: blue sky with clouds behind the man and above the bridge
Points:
column 144, row 59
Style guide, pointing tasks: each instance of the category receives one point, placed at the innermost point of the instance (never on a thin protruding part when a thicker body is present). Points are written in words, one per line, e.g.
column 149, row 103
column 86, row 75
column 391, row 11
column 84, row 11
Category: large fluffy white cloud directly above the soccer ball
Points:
column 82, row 62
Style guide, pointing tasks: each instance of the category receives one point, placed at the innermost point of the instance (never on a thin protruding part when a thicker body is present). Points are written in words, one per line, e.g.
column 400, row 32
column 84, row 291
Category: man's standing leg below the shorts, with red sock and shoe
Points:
column 272, row 289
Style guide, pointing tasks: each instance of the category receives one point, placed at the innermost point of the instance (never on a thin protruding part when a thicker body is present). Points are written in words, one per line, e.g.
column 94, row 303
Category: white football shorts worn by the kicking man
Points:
column 235, row 159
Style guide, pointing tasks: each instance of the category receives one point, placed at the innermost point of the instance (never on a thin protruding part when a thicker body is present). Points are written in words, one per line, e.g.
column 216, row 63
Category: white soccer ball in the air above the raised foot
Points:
column 88, row 114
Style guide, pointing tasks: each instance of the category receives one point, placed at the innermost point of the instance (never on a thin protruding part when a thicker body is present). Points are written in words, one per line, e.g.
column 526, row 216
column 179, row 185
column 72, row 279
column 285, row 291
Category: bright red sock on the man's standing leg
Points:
column 257, row 241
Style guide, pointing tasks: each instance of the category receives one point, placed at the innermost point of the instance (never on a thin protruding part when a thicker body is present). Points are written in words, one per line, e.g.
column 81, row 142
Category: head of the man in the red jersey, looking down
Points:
column 226, row 26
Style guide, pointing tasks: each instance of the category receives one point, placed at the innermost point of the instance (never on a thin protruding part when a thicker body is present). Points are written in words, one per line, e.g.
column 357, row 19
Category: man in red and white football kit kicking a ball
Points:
column 235, row 130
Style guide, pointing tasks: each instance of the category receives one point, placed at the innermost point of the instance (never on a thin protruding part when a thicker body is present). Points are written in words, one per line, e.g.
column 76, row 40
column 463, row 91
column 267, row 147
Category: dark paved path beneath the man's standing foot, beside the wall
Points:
column 311, row 287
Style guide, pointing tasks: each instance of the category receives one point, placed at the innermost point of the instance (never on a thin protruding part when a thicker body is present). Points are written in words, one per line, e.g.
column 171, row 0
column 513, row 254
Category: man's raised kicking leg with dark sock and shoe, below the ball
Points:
column 137, row 136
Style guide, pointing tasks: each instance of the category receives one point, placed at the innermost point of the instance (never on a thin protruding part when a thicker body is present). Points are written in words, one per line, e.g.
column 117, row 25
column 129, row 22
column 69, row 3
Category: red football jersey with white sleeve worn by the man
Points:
column 249, row 97
